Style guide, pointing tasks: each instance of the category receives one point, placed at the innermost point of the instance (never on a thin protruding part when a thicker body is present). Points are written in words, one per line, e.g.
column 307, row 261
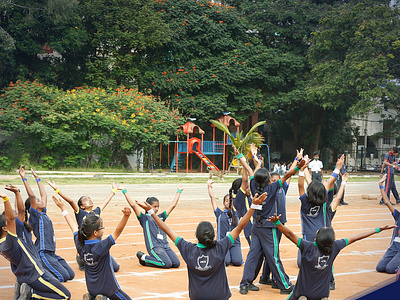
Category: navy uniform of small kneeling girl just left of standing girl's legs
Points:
column 224, row 227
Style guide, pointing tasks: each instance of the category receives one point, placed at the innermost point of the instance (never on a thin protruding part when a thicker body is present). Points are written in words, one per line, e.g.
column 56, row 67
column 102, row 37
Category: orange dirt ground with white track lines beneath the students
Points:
column 354, row 267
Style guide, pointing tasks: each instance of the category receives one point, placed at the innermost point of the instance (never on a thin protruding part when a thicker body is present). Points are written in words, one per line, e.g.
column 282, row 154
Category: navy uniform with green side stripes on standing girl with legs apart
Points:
column 265, row 240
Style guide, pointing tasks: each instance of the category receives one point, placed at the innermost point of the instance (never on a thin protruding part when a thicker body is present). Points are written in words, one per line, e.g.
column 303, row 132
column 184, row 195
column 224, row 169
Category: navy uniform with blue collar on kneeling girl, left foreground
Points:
column 99, row 273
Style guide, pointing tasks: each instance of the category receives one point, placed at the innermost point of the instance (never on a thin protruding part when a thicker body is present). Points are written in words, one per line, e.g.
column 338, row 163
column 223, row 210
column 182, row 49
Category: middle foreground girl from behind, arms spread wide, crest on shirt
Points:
column 206, row 260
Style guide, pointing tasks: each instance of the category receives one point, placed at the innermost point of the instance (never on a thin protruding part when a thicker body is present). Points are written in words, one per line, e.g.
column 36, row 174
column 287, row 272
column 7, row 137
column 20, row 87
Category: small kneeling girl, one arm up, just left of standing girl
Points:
column 227, row 220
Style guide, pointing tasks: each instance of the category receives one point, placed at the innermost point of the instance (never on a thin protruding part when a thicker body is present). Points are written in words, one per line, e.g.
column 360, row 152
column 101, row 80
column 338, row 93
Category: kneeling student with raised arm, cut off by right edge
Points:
column 390, row 262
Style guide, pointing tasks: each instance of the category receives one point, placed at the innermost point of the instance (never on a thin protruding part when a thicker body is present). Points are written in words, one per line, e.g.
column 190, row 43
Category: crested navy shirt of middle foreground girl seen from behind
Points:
column 206, row 268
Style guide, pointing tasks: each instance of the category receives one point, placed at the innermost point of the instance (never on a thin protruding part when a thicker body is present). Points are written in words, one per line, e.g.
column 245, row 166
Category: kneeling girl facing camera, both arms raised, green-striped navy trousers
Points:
column 160, row 254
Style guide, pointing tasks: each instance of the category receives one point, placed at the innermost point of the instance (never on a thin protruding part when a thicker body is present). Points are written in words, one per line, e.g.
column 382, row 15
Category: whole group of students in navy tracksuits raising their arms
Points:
column 256, row 203
